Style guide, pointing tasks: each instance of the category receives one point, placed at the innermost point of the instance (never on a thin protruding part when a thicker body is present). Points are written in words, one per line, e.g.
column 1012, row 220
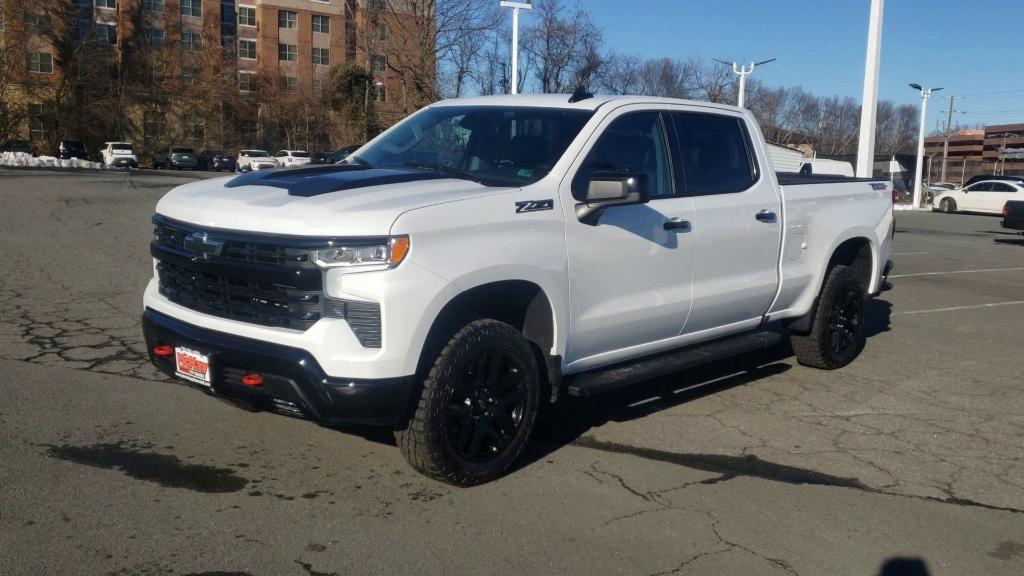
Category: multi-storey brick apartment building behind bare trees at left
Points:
column 175, row 60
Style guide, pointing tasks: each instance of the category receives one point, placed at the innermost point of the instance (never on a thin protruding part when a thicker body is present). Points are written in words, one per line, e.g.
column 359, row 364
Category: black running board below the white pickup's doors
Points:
column 608, row 380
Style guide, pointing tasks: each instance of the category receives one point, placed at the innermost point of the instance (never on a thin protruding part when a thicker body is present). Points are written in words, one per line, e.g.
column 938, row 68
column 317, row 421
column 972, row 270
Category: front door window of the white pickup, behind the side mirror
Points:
column 634, row 144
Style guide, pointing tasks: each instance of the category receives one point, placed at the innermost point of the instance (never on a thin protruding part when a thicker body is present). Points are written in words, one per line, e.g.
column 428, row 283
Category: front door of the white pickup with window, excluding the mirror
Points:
column 630, row 273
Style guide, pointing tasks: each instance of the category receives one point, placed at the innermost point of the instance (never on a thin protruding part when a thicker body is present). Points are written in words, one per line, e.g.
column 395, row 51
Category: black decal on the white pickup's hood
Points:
column 317, row 181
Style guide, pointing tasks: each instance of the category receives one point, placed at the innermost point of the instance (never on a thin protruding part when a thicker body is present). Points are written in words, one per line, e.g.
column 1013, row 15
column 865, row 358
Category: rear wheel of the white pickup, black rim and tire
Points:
column 819, row 348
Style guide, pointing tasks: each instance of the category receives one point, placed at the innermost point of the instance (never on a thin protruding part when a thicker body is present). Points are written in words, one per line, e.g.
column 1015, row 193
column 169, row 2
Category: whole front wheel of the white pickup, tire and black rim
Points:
column 478, row 407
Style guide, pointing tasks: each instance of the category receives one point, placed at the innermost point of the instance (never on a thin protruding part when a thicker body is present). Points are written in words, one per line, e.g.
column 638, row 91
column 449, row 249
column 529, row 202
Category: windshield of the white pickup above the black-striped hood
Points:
column 501, row 146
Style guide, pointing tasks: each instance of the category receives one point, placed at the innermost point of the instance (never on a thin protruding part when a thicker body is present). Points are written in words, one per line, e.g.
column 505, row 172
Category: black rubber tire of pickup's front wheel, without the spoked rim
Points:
column 425, row 442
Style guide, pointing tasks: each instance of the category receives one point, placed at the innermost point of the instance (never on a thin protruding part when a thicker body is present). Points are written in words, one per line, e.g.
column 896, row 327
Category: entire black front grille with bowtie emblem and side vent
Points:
column 266, row 280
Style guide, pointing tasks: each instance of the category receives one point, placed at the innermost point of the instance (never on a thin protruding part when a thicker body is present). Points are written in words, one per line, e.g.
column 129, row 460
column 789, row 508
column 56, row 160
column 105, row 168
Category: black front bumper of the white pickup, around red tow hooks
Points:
column 293, row 383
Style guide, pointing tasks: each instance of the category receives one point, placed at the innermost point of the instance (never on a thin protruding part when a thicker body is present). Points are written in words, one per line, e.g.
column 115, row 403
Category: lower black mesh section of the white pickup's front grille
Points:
column 238, row 299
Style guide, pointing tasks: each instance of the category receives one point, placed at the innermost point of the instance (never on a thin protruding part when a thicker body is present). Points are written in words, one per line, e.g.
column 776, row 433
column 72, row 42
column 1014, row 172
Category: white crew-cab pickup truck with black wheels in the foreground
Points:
column 489, row 255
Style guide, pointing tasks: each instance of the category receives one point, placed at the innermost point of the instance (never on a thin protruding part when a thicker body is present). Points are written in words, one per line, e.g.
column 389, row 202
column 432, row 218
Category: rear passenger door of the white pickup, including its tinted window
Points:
column 737, row 221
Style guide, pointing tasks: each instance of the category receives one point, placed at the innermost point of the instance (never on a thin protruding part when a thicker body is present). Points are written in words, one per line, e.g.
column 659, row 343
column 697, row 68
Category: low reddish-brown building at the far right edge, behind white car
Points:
column 977, row 152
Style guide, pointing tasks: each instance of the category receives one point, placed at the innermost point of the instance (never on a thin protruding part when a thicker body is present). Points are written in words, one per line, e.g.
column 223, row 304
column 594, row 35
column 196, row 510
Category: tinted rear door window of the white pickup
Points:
column 717, row 155
